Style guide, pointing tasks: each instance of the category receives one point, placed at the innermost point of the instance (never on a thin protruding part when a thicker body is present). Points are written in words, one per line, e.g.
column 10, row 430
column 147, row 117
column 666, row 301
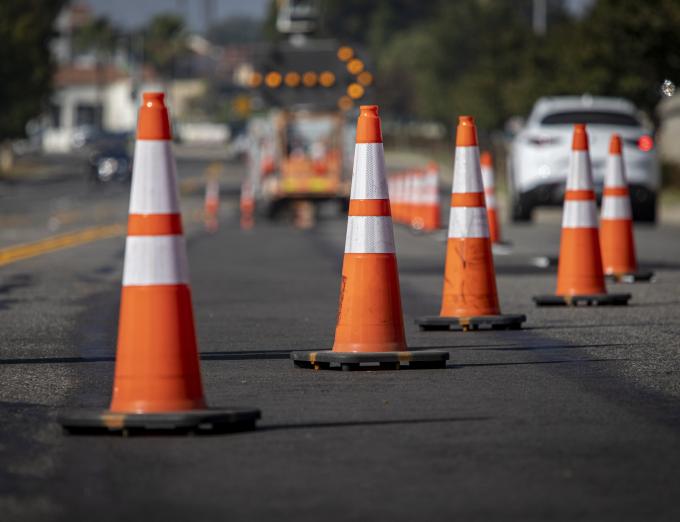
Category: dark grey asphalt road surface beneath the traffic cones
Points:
column 575, row 417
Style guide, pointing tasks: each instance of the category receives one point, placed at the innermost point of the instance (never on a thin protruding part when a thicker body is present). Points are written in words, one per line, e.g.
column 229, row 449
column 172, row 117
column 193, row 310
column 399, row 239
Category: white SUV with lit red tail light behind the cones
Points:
column 539, row 154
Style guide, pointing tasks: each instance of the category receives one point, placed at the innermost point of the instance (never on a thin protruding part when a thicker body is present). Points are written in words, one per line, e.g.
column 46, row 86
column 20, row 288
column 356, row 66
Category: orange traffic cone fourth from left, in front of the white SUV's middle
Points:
column 580, row 279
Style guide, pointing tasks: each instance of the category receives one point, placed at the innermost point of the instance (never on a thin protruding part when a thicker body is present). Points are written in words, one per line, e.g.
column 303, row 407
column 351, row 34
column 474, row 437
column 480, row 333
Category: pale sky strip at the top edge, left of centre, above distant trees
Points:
column 134, row 13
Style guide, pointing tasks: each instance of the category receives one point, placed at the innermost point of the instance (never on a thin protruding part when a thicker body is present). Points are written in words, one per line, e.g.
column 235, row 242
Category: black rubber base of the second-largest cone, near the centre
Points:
column 330, row 360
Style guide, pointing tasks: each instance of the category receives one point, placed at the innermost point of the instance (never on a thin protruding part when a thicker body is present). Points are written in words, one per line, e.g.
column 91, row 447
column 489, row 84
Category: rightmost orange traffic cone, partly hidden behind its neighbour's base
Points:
column 616, row 226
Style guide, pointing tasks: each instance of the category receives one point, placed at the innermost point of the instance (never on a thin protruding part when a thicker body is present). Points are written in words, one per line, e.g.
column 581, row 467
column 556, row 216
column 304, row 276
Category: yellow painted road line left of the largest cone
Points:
column 51, row 244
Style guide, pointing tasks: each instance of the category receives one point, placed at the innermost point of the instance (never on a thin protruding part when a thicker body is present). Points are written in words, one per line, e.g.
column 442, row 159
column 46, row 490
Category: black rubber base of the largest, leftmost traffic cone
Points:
column 175, row 423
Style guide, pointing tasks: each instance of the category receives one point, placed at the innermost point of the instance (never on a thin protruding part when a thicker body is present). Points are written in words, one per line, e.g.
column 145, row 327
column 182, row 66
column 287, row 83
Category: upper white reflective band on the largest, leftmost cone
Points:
column 154, row 179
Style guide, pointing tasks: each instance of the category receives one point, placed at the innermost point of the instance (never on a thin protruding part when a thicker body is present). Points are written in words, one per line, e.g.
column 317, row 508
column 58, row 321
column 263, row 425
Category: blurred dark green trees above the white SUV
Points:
column 441, row 58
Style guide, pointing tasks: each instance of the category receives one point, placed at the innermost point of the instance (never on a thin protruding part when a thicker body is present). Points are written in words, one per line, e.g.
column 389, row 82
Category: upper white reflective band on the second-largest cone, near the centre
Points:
column 368, row 179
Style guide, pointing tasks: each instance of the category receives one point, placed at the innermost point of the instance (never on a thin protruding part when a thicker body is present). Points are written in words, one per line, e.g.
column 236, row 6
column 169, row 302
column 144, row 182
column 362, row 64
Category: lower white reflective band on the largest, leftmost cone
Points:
column 155, row 260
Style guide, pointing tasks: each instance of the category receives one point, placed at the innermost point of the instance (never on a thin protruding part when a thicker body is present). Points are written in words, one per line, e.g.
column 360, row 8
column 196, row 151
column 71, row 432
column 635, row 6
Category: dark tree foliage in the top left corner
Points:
column 26, row 27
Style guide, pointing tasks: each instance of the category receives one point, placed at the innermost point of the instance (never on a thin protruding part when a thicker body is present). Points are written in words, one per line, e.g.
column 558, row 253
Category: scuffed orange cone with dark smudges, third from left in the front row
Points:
column 469, row 297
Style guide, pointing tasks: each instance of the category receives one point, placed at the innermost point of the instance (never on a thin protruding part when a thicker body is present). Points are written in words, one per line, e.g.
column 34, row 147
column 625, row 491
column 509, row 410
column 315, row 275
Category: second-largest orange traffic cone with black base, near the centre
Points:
column 370, row 326
